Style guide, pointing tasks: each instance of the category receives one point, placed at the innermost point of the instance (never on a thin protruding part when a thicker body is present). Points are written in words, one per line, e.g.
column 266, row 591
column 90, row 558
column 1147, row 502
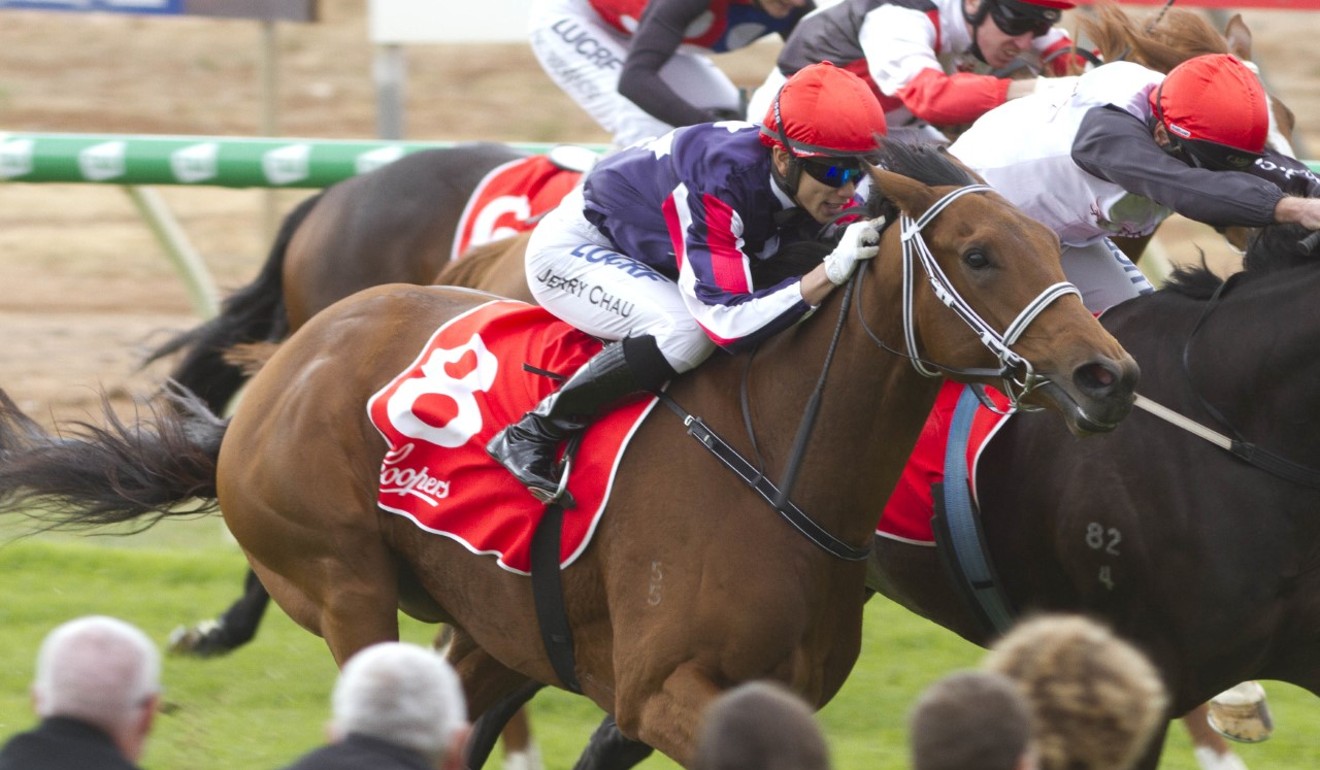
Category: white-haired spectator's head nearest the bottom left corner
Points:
column 101, row 672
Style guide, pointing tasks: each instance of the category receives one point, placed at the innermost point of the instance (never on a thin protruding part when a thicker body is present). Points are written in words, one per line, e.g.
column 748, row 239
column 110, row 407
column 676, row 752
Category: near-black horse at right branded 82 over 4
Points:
column 1208, row 562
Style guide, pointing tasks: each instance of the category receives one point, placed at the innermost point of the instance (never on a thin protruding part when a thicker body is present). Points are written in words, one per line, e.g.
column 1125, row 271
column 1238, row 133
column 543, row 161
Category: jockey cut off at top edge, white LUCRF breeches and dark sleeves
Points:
column 640, row 67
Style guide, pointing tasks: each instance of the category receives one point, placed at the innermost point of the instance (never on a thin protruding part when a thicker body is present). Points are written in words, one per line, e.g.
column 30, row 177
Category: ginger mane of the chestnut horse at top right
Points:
column 1160, row 43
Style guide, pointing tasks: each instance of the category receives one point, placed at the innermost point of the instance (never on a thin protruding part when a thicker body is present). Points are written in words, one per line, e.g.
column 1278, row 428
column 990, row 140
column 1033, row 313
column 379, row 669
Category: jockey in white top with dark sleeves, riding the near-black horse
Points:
column 1127, row 149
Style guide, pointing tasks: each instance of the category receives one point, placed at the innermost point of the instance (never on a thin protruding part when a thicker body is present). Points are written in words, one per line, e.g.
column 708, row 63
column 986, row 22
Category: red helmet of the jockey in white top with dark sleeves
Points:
column 1215, row 104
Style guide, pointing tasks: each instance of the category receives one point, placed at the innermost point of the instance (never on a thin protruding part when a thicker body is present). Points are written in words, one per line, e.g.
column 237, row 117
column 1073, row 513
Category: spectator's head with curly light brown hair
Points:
column 1096, row 699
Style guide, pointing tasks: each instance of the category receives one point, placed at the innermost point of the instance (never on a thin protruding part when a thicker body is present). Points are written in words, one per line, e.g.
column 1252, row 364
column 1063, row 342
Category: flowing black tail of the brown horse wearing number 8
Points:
column 93, row 476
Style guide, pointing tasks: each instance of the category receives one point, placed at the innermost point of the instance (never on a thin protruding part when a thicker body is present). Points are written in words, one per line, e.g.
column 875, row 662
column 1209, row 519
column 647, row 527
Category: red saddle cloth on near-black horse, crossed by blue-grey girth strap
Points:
column 907, row 514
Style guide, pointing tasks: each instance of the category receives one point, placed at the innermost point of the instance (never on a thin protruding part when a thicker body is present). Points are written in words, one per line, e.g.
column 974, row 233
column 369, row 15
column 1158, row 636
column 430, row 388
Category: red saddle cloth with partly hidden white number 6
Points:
column 510, row 200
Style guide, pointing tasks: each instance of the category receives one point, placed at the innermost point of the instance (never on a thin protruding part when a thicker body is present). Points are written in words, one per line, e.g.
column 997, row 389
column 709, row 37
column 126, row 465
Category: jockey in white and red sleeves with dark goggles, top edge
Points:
column 927, row 60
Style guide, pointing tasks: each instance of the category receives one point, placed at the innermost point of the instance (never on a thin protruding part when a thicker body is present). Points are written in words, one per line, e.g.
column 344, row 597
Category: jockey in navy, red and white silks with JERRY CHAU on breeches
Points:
column 659, row 250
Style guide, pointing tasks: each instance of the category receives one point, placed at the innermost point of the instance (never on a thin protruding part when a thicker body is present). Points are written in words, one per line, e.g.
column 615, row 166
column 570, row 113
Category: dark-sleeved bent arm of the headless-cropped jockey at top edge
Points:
column 658, row 38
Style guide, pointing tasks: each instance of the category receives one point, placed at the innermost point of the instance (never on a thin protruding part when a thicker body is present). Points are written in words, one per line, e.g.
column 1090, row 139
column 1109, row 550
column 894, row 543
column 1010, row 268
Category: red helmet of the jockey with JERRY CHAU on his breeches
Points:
column 824, row 112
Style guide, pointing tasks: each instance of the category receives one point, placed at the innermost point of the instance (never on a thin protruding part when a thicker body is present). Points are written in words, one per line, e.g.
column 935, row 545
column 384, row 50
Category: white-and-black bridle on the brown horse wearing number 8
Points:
column 1016, row 373
